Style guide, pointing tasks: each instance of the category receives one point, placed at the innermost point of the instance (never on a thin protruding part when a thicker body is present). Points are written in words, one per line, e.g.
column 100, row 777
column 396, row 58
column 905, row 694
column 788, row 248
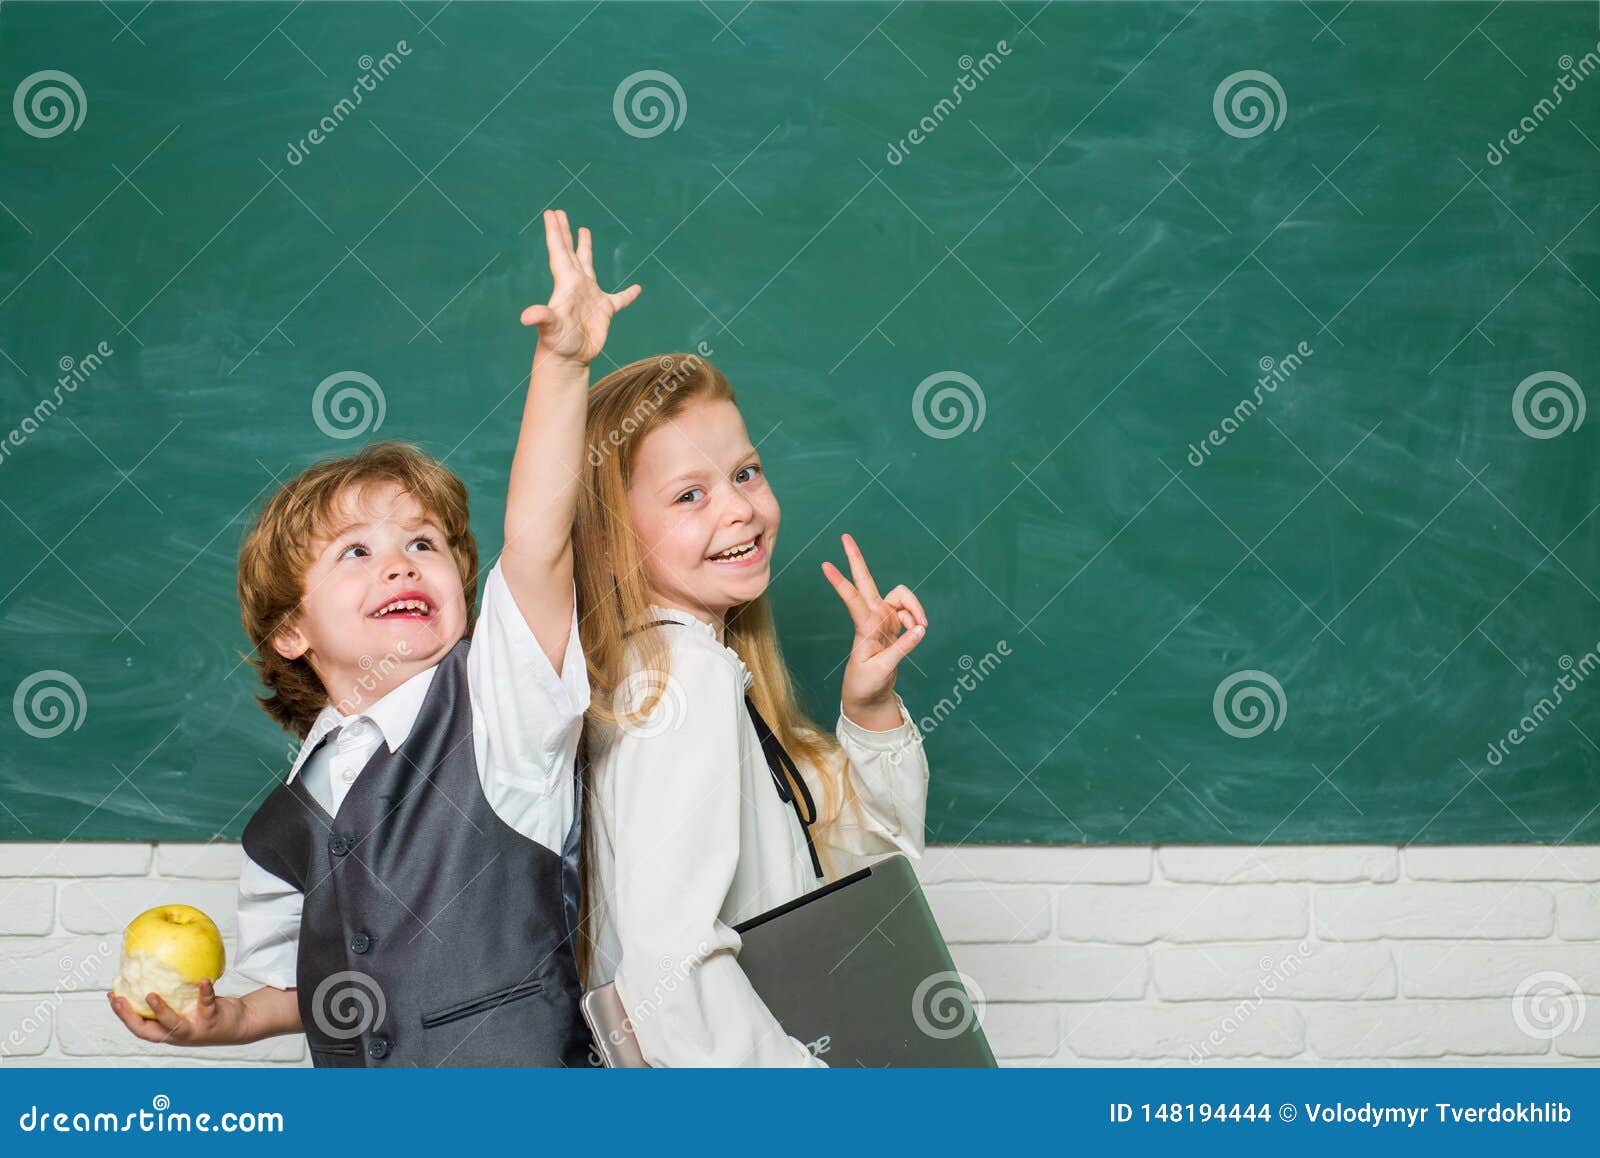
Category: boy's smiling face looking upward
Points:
column 383, row 597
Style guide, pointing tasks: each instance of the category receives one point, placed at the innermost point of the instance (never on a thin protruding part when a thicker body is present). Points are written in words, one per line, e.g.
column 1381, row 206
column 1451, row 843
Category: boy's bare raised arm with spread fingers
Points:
column 542, row 498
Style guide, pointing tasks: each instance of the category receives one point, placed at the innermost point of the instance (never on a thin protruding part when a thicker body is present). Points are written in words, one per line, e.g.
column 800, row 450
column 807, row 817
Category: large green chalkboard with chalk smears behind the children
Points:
column 1215, row 373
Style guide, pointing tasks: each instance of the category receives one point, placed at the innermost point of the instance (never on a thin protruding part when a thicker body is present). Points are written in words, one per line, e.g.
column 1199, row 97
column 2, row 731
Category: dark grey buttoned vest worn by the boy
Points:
column 433, row 933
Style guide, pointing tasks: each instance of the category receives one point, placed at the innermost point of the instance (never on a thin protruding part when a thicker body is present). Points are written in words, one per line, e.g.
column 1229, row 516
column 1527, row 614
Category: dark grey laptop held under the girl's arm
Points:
column 857, row 970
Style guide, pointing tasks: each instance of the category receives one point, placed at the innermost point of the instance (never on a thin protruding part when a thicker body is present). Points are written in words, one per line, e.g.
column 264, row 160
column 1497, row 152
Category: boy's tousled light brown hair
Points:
column 281, row 546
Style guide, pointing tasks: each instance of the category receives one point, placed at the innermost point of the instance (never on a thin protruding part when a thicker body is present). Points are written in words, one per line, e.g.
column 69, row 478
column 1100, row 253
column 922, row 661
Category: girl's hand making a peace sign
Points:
column 887, row 629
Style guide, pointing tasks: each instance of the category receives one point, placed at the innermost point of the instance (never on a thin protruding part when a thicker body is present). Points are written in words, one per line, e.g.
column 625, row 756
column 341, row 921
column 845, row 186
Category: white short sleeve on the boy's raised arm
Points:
column 527, row 719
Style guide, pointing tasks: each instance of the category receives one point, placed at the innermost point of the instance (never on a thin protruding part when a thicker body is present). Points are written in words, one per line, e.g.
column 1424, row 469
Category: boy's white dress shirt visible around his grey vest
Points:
column 526, row 729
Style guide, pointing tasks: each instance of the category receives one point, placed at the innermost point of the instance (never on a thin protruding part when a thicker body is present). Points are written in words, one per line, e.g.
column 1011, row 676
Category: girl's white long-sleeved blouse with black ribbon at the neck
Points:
column 690, row 839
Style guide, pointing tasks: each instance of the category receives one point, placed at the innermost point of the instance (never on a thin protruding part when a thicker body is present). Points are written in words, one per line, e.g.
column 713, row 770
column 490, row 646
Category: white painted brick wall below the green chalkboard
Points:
column 1175, row 956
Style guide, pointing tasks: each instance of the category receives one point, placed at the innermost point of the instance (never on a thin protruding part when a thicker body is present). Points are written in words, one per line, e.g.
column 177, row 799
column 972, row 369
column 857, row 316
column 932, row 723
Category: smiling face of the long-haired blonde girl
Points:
column 705, row 517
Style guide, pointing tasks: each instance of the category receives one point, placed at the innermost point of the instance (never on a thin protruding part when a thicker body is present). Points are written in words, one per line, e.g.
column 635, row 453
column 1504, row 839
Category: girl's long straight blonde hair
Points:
column 615, row 597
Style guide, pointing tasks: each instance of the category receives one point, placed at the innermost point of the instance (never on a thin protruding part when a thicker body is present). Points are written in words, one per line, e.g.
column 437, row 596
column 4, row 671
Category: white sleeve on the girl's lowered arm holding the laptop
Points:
column 678, row 813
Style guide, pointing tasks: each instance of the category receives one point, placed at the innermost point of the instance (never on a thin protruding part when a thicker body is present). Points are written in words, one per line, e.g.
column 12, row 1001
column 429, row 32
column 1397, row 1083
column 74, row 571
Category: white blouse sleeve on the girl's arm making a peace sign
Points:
column 886, row 794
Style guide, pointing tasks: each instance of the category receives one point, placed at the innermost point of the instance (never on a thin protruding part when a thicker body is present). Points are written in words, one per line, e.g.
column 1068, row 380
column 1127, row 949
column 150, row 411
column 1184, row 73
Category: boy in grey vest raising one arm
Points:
column 410, row 893
